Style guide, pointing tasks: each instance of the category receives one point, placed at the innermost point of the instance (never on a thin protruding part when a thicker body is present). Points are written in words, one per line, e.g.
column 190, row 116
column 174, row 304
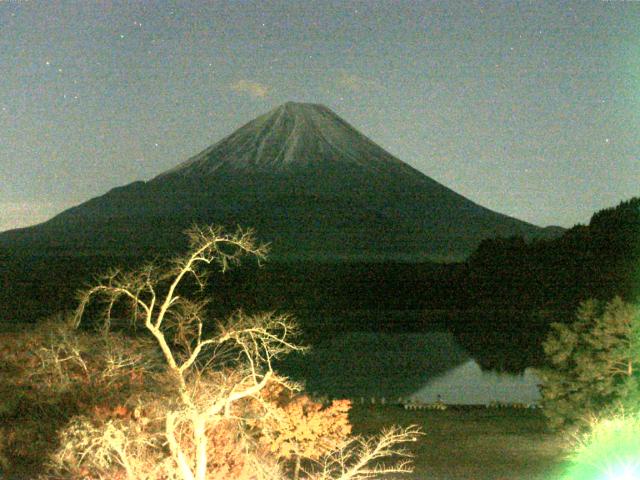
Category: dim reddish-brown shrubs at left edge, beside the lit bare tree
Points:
column 51, row 374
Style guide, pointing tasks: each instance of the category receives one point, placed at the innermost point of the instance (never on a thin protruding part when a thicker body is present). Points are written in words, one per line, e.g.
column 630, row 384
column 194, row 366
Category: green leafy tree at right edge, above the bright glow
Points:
column 593, row 362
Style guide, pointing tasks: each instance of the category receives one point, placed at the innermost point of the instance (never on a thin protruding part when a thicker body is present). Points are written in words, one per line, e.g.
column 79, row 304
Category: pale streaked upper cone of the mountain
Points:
column 292, row 137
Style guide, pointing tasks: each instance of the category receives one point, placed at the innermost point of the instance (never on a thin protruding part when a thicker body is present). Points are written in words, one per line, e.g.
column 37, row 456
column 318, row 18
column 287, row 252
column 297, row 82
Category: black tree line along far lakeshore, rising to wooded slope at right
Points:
column 505, row 296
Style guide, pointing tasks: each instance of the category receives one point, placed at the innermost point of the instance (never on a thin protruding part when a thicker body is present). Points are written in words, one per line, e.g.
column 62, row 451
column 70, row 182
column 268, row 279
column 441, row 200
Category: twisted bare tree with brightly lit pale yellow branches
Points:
column 205, row 378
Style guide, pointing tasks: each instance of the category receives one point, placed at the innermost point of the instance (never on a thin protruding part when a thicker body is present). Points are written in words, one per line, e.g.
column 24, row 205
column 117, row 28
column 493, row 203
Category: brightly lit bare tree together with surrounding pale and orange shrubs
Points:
column 199, row 398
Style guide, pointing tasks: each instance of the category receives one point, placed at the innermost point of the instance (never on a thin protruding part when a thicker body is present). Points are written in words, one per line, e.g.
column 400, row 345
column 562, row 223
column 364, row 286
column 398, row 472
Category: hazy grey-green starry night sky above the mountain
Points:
column 528, row 108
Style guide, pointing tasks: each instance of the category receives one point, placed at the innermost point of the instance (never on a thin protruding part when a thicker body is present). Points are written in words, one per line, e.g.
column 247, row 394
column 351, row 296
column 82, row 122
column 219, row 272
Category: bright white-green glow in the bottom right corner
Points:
column 610, row 451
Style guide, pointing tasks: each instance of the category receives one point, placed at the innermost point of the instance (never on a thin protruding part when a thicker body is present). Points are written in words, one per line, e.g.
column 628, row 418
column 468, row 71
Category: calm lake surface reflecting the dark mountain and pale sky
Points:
column 423, row 366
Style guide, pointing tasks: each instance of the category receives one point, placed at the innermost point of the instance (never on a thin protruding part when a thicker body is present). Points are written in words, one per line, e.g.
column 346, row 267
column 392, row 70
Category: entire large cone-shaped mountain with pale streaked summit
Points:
column 305, row 179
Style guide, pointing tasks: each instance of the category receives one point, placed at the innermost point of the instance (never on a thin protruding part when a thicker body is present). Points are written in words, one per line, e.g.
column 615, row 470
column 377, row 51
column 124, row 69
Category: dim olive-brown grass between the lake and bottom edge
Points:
column 473, row 443
